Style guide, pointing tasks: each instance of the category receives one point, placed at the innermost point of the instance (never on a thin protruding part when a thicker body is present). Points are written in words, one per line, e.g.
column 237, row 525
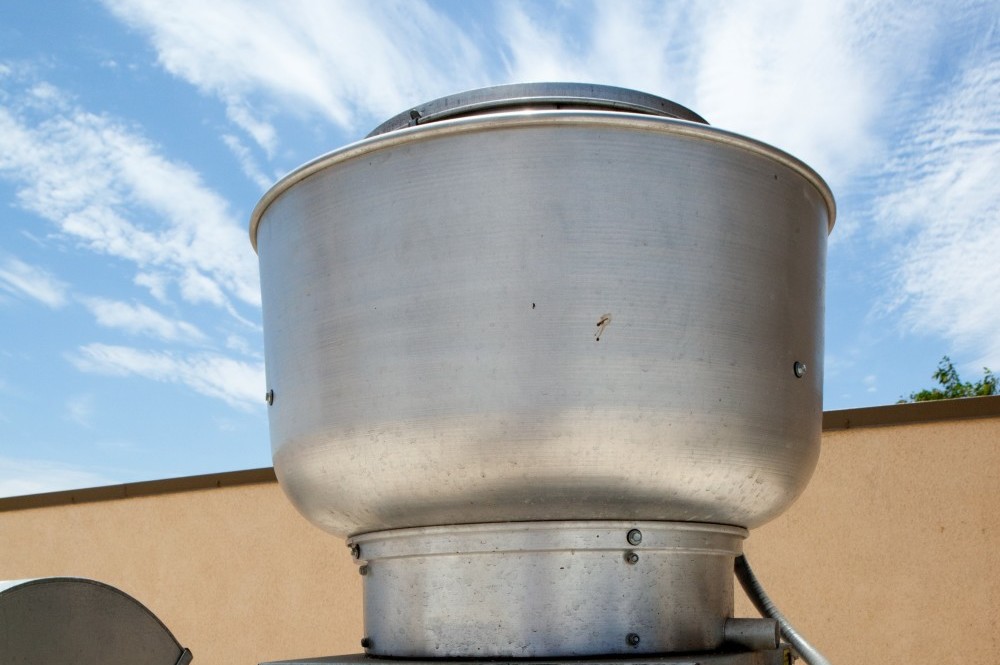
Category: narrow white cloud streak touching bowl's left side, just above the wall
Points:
column 239, row 384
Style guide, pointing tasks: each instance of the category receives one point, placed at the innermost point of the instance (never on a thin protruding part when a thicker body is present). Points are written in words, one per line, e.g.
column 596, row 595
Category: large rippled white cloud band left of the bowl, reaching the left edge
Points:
column 108, row 188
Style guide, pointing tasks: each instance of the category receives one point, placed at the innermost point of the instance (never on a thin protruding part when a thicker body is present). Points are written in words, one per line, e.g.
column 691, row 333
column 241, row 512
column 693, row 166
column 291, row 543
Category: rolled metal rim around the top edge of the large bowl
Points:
column 534, row 118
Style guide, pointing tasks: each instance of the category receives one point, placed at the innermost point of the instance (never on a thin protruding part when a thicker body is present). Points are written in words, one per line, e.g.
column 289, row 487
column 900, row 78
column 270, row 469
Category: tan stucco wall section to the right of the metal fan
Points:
column 892, row 555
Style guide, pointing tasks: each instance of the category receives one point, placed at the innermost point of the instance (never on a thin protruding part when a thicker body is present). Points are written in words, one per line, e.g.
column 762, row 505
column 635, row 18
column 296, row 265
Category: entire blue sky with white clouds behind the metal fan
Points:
column 136, row 136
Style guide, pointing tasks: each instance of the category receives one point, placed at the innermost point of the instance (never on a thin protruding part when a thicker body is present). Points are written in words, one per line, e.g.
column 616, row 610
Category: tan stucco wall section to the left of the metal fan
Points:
column 235, row 573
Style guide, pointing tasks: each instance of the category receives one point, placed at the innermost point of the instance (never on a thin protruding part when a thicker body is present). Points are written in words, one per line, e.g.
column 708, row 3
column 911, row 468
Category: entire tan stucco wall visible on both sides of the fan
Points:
column 891, row 556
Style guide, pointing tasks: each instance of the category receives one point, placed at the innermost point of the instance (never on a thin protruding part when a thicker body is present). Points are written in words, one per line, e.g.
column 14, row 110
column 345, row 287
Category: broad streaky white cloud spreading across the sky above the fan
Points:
column 812, row 78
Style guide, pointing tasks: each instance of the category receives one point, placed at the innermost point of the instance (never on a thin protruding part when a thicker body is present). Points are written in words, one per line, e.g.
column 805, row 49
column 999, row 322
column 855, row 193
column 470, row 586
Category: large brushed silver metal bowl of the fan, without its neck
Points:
column 550, row 315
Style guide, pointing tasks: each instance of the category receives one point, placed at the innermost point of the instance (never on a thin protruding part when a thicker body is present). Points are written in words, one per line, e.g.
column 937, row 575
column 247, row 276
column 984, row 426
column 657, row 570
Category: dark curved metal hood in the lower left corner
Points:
column 56, row 620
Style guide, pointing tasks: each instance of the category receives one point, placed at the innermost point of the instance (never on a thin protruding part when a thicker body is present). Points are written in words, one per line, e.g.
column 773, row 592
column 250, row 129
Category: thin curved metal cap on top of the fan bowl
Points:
column 518, row 96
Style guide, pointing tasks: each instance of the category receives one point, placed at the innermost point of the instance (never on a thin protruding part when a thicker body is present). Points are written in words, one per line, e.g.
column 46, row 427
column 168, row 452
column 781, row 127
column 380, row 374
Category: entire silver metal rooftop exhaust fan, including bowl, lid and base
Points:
column 511, row 488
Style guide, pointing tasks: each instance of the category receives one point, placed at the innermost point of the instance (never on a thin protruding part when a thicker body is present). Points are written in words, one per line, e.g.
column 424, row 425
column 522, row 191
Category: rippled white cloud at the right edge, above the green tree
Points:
column 940, row 206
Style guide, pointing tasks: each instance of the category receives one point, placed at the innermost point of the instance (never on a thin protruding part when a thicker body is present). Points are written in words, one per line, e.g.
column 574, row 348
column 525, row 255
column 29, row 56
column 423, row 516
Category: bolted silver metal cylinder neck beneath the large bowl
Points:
column 548, row 589
